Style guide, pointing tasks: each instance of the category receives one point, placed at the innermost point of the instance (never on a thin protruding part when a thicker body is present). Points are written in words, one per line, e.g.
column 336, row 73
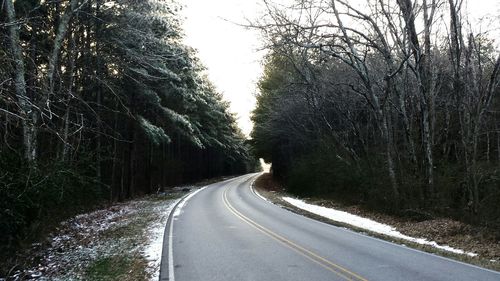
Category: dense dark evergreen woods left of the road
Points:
column 100, row 100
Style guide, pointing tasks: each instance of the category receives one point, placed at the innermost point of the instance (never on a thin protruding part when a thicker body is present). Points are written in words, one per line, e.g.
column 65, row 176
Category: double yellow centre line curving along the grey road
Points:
column 337, row 269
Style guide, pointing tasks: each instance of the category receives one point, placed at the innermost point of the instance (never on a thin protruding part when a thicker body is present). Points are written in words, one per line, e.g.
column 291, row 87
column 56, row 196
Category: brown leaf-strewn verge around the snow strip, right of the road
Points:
column 442, row 230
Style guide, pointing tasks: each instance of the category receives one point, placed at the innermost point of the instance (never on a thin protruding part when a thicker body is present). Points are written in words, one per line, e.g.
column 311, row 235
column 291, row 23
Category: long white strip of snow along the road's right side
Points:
column 368, row 224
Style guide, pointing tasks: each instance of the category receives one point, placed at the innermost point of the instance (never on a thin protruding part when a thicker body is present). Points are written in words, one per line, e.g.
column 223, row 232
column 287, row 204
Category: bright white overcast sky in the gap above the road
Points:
column 230, row 51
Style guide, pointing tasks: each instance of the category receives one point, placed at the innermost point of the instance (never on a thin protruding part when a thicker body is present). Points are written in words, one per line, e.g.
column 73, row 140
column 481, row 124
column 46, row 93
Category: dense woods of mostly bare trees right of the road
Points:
column 390, row 103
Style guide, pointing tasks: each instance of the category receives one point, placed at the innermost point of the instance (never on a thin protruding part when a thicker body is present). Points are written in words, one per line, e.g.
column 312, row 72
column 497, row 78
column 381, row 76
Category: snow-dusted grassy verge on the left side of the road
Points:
column 121, row 242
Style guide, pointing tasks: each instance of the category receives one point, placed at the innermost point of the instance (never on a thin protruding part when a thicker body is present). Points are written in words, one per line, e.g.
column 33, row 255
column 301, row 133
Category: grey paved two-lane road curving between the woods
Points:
column 226, row 232
